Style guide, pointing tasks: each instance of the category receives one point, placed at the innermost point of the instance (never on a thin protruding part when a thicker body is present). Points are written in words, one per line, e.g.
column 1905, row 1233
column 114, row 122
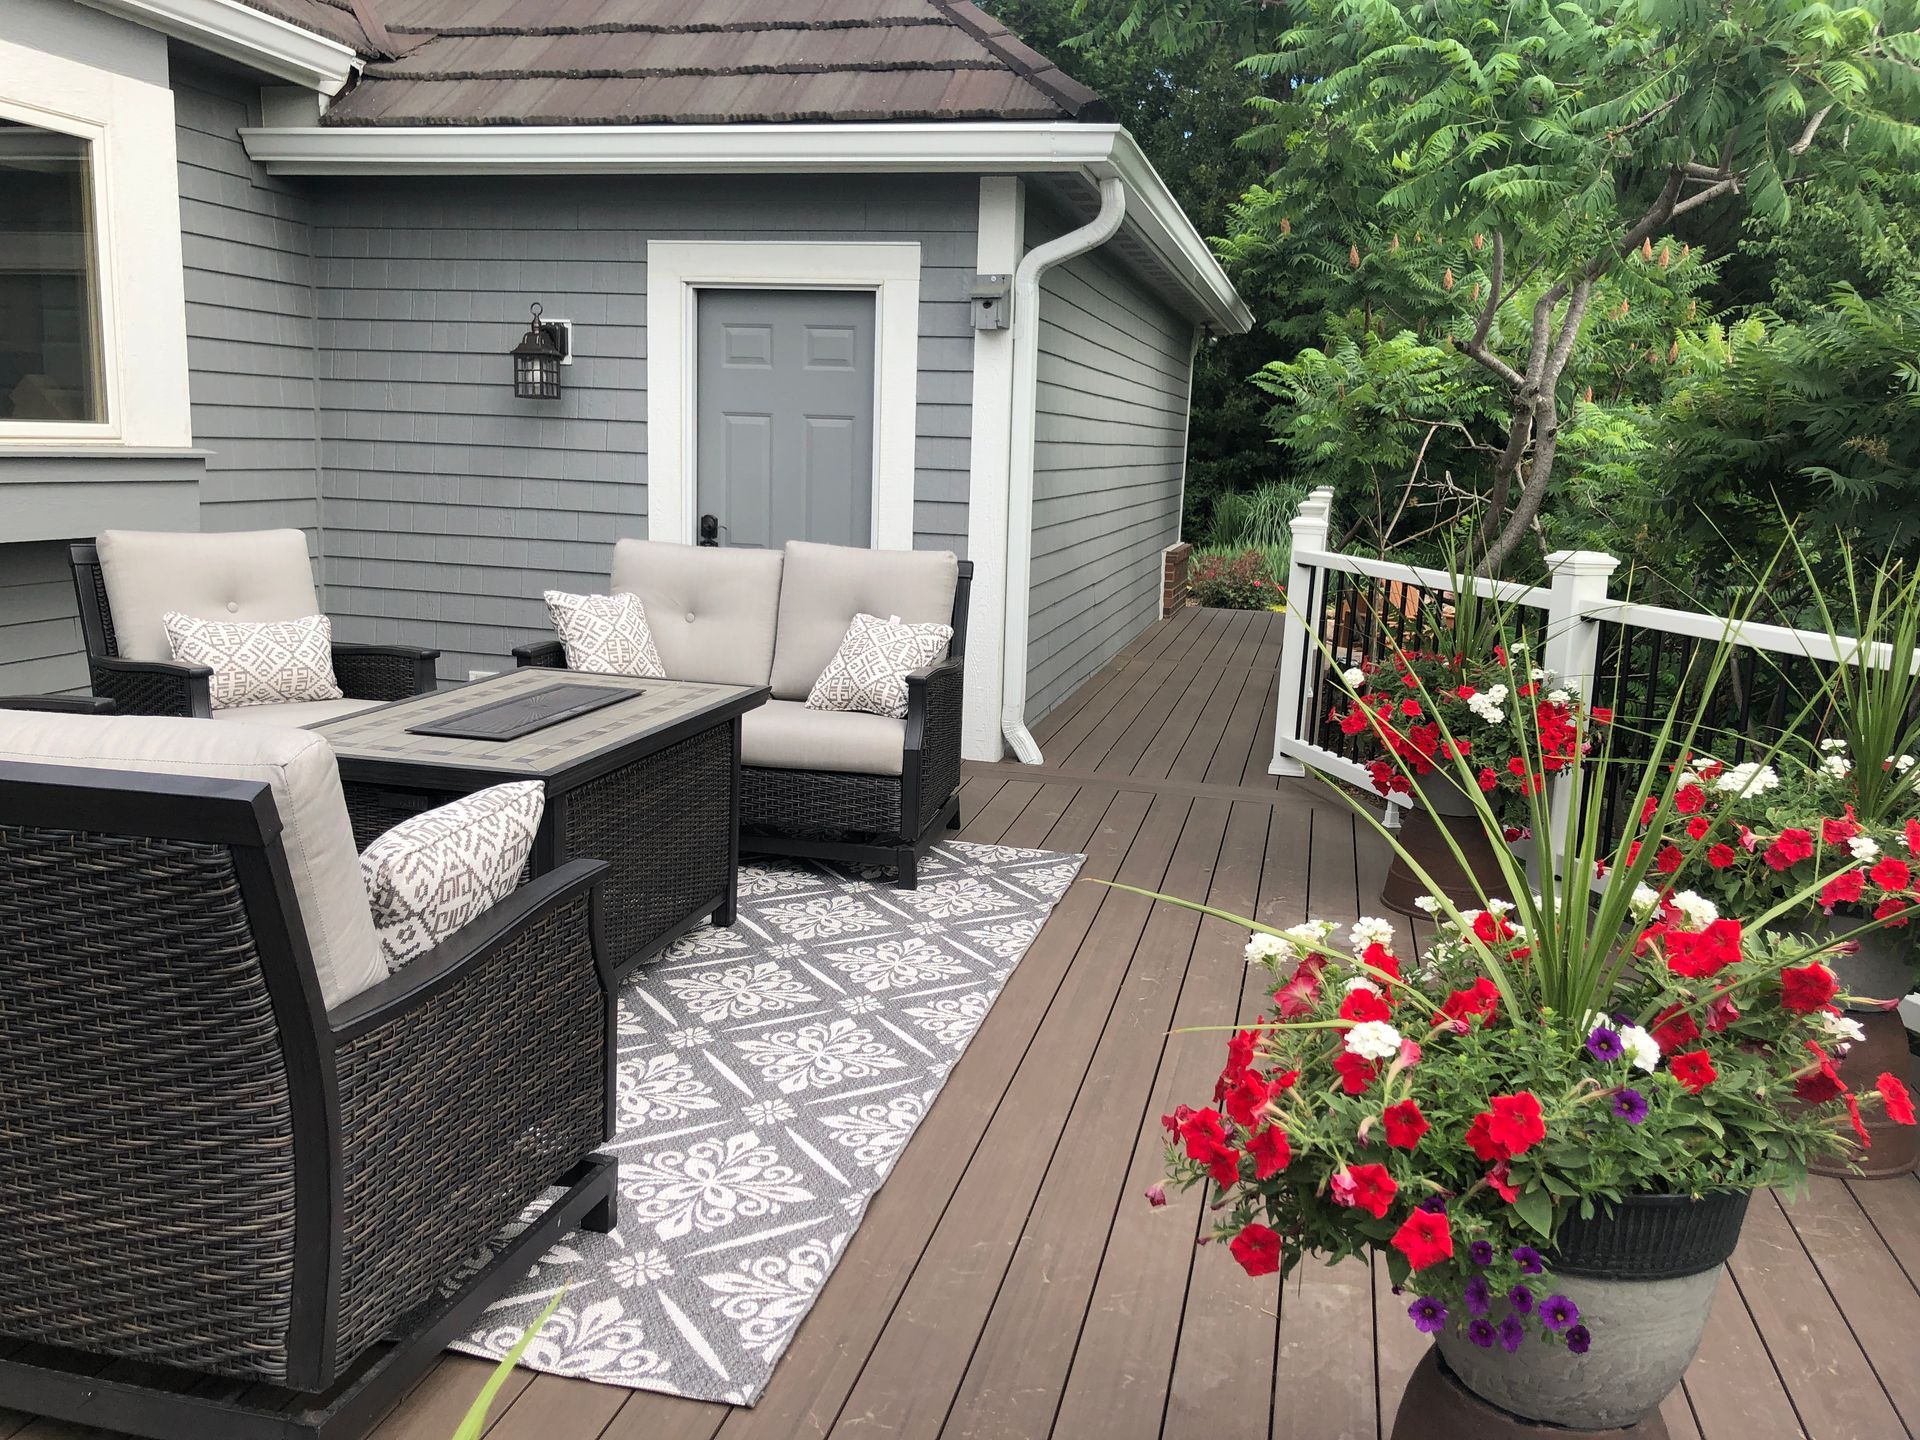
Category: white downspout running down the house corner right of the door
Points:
column 1020, row 464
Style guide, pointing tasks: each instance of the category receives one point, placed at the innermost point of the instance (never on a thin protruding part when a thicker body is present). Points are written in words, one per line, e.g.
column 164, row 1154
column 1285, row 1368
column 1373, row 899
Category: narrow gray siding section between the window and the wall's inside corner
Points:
column 251, row 329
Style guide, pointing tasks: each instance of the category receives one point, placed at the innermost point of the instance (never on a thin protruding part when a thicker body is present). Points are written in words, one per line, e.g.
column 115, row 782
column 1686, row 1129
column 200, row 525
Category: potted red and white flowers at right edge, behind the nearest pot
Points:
column 1767, row 834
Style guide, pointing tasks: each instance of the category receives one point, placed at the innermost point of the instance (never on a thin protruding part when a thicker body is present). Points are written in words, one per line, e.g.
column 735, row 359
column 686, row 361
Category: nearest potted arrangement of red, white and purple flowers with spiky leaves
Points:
column 1548, row 1124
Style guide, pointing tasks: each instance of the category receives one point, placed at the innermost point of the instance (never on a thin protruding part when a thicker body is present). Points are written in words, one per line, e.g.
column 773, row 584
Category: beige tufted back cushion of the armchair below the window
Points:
column 251, row 575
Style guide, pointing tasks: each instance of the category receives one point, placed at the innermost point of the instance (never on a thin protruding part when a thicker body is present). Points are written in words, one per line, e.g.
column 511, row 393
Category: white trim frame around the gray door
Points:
column 681, row 270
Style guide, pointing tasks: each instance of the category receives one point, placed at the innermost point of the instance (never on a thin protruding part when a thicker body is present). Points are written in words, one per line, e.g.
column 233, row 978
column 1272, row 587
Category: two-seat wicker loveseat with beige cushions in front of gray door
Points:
column 861, row 788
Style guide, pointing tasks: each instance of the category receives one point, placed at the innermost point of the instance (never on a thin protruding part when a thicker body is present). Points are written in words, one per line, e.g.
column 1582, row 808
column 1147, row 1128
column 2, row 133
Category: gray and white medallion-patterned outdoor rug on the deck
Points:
column 769, row 1078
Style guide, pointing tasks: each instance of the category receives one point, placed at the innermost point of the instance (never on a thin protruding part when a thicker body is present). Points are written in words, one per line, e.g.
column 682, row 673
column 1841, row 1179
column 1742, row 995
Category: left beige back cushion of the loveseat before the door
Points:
column 711, row 612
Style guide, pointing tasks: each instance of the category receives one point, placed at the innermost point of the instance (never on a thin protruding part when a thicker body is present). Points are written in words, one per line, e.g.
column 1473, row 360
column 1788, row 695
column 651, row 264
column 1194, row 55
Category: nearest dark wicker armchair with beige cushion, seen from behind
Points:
column 235, row 1147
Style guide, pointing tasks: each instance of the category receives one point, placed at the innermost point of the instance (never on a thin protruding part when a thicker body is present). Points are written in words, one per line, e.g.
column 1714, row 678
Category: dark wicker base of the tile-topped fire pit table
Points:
column 665, row 825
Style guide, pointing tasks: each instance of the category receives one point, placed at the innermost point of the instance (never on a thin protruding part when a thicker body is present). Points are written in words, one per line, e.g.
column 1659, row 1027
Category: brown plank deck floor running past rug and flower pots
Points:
column 1011, row 1280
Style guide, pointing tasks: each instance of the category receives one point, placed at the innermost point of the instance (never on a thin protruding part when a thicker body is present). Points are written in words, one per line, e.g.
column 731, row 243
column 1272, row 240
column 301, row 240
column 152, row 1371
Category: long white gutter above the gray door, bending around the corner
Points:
column 1097, row 153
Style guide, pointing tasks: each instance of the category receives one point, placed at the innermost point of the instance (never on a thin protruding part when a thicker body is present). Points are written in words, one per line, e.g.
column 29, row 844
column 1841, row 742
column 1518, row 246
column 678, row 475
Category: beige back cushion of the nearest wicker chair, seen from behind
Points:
column 306, row 792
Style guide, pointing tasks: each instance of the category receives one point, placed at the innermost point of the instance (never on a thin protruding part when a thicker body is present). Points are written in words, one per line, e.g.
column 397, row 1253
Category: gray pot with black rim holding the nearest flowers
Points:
column 1644, row 1282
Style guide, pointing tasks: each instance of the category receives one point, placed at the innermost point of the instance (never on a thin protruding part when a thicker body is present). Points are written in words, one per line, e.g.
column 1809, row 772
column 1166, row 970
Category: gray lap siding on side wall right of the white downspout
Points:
column 1111, row 450
